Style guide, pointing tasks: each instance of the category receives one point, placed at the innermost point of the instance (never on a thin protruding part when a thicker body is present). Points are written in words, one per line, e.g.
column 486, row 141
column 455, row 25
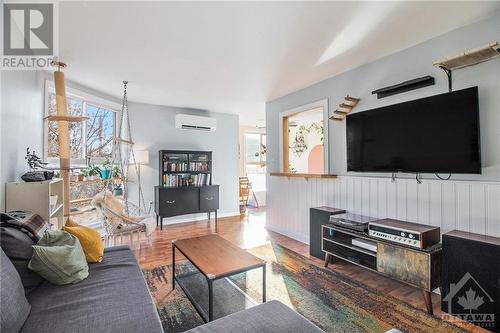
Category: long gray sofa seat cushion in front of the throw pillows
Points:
column 114, row 298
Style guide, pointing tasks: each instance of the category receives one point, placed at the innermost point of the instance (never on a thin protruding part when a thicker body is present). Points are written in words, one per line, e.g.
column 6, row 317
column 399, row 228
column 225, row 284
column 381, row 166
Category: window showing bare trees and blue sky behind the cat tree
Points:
column 92, row 139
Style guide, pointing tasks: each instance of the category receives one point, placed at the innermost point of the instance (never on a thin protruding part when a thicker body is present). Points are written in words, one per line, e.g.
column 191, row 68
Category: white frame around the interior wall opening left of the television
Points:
column 283, row 118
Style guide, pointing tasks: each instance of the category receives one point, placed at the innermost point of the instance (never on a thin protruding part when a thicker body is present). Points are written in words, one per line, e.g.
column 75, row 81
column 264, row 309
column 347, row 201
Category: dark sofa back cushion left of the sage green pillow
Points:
column 17, row 245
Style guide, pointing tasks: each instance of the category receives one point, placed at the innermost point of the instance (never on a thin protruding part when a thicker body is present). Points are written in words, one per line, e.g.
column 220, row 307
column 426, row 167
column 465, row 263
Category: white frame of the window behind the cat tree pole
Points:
column 86, row 99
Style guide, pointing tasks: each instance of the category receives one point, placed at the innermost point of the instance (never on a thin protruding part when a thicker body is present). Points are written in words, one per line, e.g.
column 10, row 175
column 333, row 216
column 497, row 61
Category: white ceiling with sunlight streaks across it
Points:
column 234, row 56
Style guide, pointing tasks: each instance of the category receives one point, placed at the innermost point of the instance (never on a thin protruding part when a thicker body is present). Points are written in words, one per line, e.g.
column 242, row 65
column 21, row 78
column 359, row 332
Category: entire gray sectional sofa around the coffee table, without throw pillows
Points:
column 114, row 298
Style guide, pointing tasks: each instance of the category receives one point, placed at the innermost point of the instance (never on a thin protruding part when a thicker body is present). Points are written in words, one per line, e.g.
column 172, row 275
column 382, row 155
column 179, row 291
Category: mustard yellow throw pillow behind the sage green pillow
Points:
column 90, row 239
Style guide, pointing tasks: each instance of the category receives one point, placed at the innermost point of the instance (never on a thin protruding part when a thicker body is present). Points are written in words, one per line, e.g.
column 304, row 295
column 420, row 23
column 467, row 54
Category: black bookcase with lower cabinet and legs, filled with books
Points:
column 185, row 185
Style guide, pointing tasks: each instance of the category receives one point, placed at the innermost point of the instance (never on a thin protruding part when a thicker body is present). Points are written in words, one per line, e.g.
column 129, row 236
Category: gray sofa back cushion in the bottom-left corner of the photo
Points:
column 15, row 307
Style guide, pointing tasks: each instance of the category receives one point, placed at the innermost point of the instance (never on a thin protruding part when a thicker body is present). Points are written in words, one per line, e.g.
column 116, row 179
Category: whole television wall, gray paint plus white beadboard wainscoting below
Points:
column 469, row 204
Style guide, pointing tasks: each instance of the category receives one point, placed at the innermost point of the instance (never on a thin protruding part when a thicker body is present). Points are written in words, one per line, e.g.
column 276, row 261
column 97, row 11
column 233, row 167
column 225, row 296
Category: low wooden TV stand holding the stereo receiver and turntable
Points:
column 419, row 268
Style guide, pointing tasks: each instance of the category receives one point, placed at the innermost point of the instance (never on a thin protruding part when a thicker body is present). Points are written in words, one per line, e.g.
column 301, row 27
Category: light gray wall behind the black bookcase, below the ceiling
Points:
column 154, row 129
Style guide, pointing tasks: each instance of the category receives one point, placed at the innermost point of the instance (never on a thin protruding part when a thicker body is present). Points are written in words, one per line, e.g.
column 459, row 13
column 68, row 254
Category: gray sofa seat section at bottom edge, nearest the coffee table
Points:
column 270, row 317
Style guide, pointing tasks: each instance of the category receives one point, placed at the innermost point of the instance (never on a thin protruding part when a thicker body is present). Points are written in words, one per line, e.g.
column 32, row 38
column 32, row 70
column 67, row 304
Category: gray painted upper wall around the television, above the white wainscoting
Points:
column 404, row 65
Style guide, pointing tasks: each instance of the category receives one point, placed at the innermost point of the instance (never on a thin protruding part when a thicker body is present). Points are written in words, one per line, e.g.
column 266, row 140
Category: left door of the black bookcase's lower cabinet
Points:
column 178, row 201
